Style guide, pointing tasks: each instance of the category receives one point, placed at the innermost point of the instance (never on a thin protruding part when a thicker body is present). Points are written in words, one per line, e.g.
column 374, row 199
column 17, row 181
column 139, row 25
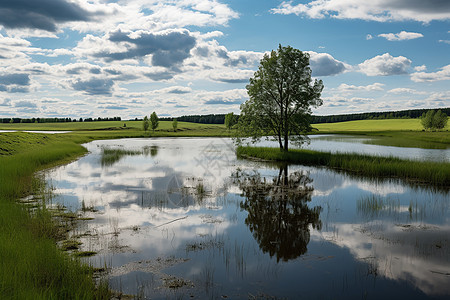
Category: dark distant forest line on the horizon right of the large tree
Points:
column 403, row 114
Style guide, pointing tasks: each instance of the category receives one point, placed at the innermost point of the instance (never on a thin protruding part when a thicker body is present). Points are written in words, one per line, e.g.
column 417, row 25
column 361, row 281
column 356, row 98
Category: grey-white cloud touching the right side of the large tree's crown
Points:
column 323, row 64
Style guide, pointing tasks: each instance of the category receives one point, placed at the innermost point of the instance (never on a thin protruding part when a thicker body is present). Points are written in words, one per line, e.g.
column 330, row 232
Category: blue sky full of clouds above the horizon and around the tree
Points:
column 128, row 58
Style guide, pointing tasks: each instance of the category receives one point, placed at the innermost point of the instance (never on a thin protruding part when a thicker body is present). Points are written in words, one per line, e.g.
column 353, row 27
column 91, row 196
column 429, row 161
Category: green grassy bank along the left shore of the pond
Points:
column 31, row 265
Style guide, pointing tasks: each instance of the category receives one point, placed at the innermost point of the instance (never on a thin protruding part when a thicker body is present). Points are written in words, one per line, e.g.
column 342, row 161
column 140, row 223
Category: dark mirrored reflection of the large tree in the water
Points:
column 278, row 214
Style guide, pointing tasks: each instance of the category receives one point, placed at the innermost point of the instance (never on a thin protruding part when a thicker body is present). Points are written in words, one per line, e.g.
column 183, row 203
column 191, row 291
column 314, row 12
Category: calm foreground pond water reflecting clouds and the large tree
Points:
column 184, row 218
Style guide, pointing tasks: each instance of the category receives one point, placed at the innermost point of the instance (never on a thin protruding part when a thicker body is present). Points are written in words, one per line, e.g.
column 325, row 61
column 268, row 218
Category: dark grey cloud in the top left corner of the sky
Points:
column 42, row 14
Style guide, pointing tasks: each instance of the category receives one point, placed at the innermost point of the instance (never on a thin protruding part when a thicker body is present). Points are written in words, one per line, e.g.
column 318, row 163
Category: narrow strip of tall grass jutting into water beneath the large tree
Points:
column 434, row 173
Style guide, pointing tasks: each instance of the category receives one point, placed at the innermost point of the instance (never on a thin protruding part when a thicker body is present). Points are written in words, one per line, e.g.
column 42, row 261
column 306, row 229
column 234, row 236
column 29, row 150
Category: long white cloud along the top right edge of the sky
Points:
column 375, row 10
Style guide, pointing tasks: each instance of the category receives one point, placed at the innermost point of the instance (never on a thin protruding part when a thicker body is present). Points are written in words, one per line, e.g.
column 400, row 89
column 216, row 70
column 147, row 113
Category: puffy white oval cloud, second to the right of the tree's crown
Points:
column 385, row 65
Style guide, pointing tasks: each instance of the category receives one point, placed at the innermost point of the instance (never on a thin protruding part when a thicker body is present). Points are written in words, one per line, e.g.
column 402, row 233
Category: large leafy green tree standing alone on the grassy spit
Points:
column 281, row 96
